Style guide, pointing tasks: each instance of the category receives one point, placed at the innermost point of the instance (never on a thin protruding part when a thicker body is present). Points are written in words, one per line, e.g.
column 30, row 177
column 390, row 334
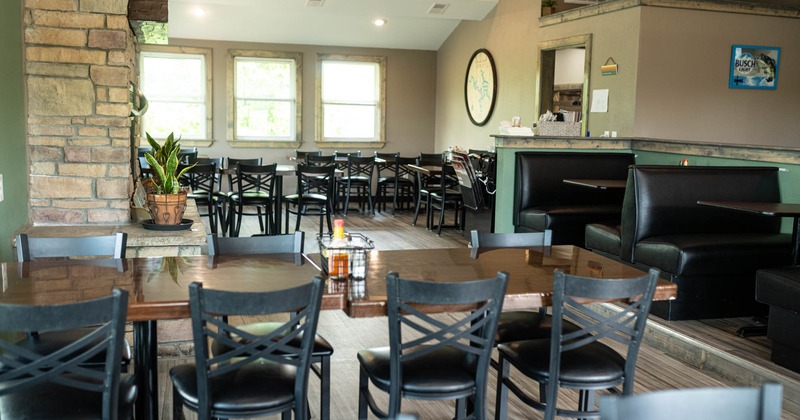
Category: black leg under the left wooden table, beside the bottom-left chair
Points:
column 145, row 345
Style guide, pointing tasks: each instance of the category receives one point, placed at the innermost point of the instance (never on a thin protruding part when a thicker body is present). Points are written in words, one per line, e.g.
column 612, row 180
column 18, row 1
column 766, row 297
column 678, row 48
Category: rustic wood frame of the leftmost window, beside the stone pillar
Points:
column 206, row 53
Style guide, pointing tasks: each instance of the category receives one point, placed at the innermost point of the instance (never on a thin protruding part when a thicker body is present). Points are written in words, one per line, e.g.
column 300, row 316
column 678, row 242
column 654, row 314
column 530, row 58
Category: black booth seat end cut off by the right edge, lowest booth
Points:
column 779, row 287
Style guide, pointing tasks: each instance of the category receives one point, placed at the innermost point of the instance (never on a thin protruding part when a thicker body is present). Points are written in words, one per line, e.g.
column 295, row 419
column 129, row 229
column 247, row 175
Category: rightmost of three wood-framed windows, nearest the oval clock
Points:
column 351, row 100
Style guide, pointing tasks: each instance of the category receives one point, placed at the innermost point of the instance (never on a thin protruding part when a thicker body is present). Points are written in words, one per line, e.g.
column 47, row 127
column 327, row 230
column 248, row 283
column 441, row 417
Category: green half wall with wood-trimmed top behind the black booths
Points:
column 789, row 177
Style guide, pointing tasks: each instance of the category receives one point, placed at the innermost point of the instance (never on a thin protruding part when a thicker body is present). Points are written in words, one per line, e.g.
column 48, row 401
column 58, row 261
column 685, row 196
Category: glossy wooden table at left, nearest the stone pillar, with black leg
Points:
column 158, row 290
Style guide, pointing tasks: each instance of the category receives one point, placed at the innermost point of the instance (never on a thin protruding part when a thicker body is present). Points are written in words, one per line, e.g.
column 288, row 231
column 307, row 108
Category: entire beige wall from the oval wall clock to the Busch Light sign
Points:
column 672, row 81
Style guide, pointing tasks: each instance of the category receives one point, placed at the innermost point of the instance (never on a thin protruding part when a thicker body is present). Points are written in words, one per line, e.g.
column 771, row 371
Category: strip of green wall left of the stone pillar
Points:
column 13, row 161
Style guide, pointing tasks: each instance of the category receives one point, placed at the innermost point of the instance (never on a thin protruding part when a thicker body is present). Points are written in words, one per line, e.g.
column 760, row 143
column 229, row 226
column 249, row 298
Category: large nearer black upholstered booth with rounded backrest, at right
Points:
column 711, row 253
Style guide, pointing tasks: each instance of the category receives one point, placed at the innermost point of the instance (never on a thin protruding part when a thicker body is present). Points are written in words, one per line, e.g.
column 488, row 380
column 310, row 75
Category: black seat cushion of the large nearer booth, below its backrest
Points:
column 714, row 253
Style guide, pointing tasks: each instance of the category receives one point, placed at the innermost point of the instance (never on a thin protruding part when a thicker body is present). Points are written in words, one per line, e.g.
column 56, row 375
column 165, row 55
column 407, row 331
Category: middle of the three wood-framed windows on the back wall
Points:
column 264, row 100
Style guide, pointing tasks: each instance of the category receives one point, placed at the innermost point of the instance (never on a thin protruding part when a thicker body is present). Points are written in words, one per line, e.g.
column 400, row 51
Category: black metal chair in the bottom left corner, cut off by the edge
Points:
column 57, row 385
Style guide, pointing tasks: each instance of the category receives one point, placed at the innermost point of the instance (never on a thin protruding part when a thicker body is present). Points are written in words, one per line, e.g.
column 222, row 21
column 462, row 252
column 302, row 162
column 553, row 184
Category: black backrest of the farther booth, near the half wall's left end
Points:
column 539, row 178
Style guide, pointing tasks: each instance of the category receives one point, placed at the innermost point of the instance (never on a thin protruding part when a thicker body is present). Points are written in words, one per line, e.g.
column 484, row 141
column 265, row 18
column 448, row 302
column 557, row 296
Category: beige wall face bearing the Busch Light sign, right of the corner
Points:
column 683, row 79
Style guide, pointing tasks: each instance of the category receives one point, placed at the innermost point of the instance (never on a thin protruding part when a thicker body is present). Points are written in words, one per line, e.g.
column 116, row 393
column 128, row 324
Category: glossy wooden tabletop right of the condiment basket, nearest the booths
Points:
column 531, row 273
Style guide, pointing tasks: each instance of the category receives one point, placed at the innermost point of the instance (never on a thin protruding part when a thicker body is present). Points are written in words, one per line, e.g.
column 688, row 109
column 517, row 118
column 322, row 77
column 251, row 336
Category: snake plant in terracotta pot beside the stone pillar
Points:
column 166, row 198
